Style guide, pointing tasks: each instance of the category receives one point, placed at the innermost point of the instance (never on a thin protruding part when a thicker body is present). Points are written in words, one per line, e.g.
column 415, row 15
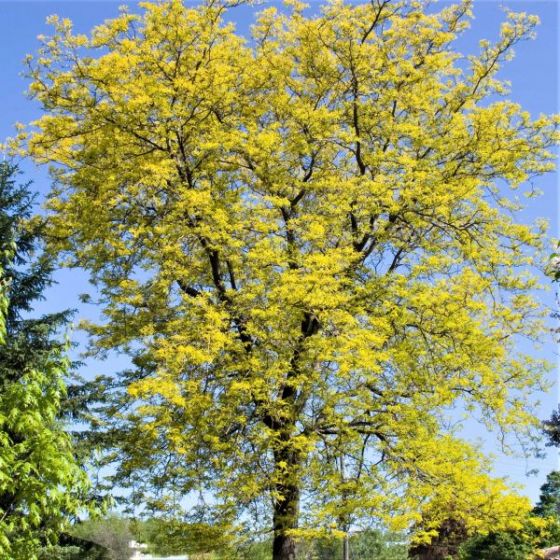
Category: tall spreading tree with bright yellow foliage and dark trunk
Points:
column 303, row 242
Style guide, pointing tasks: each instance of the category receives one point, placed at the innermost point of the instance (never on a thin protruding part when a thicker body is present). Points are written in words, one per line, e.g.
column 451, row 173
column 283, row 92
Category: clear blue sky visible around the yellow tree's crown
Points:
column 533, row 73
